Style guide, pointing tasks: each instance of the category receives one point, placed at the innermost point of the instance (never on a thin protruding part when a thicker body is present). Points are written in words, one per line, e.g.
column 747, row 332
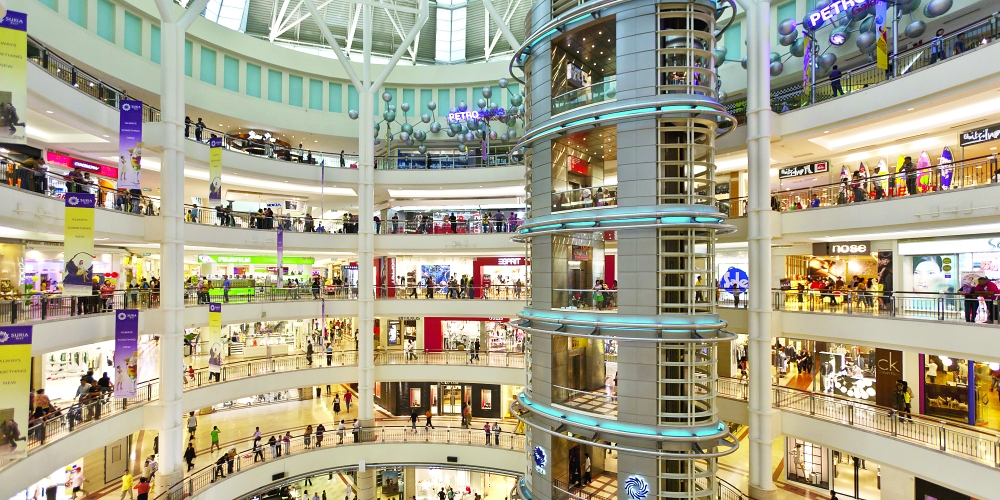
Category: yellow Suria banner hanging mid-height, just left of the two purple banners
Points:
column 78, row 249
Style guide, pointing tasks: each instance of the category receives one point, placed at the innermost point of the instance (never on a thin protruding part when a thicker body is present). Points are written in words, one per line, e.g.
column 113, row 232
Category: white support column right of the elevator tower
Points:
column 759, row 152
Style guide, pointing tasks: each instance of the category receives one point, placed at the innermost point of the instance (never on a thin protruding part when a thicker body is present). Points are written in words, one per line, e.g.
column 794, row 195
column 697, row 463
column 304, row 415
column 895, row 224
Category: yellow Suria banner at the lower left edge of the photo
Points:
column 15, row 383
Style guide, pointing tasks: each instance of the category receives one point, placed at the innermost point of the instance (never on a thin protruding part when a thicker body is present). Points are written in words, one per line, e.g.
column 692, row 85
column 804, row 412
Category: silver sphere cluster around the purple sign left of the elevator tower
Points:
column 487, row 121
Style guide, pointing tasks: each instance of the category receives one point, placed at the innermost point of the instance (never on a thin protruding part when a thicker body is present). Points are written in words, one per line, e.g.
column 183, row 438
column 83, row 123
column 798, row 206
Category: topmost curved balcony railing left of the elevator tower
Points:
column 112, row 96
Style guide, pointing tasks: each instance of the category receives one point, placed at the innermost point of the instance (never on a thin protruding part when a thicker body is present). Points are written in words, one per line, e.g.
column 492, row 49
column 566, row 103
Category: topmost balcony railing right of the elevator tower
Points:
column 858, row 79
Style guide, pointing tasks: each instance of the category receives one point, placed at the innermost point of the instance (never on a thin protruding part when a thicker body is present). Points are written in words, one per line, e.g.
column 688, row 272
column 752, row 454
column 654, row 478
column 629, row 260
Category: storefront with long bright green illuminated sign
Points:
column 260, row 267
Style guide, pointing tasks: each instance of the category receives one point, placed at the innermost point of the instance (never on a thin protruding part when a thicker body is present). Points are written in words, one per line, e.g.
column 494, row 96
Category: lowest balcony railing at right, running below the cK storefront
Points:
column 971, row 443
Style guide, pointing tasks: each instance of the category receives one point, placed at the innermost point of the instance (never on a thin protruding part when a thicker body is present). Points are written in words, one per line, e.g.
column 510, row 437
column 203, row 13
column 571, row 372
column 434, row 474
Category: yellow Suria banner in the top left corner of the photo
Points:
column 13, row 77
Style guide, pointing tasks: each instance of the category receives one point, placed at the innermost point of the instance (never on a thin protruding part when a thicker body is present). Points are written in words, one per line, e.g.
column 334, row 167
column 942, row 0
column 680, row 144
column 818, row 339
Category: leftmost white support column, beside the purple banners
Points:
column 171, row 436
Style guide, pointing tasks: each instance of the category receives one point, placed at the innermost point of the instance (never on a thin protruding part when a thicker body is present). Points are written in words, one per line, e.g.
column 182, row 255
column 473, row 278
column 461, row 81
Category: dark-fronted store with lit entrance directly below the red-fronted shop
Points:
column 445, row 398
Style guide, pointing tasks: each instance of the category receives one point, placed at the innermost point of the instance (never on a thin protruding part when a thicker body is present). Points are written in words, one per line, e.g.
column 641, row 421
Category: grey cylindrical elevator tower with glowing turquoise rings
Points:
column 623, row 330
